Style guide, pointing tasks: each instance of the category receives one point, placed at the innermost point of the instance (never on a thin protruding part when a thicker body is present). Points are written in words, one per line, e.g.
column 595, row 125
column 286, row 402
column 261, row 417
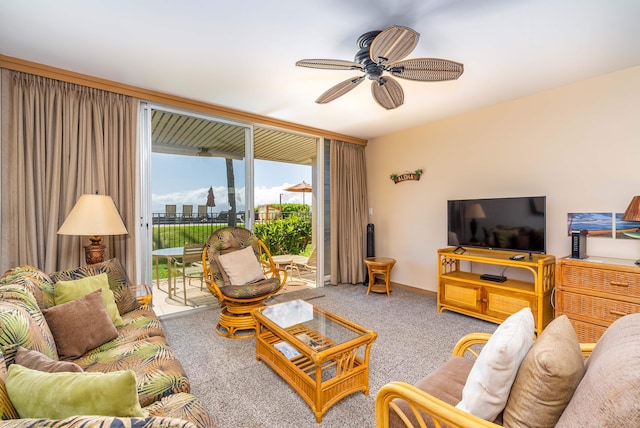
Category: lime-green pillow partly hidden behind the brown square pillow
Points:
column 66, row 291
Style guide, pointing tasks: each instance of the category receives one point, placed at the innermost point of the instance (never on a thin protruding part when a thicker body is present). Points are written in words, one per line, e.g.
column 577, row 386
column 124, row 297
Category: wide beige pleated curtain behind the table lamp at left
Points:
column 60, row 140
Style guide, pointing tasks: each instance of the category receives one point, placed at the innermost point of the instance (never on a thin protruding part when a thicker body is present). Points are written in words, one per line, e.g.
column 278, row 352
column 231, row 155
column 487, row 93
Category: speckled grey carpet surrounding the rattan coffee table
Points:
column 413, row 340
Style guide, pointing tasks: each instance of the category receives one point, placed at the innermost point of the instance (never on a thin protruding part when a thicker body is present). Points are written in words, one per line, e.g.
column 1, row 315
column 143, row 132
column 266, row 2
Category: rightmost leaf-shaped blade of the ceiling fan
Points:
column 427, row 69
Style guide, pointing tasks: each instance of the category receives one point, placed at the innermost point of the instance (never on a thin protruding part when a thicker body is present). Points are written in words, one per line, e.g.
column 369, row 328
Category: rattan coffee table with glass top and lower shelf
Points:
column 322, row 356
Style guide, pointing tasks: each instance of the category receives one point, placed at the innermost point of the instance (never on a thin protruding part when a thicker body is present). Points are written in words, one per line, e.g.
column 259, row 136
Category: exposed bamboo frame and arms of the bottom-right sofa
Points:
column 399, row 404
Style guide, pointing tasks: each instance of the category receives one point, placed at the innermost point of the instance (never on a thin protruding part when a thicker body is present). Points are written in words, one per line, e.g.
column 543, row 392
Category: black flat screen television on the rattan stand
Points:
column 515, row 224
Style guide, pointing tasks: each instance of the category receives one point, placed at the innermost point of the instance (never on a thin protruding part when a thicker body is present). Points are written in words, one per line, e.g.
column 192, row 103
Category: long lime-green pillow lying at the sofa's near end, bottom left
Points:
column 37, row 394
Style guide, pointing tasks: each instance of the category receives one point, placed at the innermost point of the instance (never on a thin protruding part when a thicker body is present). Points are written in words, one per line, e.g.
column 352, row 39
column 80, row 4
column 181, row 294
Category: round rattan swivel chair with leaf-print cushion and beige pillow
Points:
column 239, row 270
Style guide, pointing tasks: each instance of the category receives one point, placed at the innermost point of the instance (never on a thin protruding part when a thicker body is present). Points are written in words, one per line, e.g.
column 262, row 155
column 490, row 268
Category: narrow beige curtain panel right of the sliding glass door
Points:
column 348, row 192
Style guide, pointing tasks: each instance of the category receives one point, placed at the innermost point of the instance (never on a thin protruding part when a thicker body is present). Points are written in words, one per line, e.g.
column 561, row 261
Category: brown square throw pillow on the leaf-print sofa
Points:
column 80, row 325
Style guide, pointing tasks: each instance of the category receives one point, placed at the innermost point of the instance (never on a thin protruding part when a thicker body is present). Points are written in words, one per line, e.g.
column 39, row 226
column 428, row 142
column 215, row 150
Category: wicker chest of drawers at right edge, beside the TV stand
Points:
column 595, row 292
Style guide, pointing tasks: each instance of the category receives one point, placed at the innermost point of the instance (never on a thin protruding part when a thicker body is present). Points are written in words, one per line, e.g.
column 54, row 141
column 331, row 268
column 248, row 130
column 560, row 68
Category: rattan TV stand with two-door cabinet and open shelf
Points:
column 461, row 290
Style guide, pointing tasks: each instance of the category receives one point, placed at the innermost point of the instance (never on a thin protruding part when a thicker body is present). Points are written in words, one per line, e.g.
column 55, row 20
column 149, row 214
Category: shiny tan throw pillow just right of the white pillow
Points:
column 547, row 379
